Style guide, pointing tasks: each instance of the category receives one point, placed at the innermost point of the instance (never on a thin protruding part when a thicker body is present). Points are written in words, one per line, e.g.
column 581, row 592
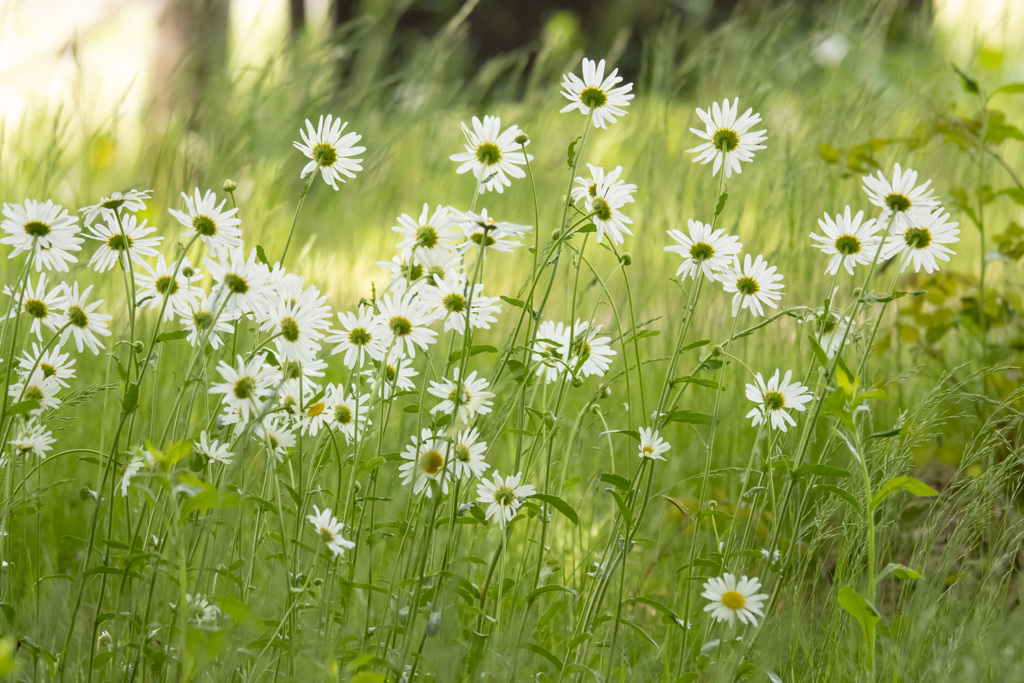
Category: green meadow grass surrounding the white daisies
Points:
column 603, row 578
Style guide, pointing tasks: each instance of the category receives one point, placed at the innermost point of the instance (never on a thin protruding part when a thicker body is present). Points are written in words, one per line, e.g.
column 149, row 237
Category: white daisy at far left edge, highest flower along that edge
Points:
column 46, row 230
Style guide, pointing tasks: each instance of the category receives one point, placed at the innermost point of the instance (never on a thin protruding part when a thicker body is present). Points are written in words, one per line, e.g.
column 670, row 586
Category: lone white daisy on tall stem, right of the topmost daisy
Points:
column 731, row 140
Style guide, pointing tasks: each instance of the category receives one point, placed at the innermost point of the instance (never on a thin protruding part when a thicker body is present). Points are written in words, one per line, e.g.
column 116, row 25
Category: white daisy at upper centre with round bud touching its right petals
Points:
column 491, row 154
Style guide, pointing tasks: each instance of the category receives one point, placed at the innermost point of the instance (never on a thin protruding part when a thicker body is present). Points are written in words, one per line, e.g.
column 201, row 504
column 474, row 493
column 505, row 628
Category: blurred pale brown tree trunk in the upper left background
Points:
column 192, row 51
